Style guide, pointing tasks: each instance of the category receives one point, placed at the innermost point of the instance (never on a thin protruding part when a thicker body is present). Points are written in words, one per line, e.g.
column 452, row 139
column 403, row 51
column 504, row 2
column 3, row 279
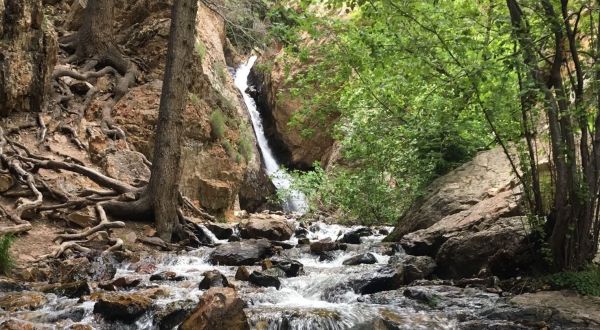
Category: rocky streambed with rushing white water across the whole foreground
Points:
column 273, row 272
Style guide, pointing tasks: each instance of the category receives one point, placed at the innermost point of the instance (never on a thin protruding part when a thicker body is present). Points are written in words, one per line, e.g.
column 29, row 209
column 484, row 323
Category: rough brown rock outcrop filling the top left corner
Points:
column 27, row 56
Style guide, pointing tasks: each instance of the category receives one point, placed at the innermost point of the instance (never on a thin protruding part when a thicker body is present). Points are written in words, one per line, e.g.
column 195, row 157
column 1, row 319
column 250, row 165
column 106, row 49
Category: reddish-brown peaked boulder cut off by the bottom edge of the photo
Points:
column 219, row 308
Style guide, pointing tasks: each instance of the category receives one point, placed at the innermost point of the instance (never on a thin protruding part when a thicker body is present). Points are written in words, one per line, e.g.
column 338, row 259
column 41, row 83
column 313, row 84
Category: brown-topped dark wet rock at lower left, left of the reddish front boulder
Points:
column 124, row 307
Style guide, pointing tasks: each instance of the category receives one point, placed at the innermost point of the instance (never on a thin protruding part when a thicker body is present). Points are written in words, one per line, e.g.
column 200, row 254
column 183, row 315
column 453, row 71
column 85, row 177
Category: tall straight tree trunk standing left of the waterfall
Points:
column 163, row 188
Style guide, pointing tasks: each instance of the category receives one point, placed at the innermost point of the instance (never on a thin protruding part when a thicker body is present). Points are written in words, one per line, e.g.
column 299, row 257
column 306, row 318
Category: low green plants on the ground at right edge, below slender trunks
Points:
column 585, row 282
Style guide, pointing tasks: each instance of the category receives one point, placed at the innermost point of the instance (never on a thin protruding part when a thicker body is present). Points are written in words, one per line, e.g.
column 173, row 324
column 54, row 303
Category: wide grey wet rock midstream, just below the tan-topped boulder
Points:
column 246, row 252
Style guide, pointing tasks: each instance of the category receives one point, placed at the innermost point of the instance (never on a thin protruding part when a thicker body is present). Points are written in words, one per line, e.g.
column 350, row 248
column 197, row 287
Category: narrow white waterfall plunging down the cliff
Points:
column 296, row 201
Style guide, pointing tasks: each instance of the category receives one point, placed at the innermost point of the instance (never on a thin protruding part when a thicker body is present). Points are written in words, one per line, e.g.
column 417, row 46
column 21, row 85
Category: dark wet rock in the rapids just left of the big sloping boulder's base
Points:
column 384, row 279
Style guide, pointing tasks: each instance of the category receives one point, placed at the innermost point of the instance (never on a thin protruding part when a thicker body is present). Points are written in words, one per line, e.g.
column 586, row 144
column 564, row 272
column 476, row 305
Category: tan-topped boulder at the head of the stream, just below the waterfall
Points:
column 269, row 226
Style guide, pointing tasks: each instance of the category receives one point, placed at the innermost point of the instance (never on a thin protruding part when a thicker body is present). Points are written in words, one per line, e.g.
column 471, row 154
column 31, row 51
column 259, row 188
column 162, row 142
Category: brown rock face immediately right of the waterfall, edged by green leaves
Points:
column 277, row 107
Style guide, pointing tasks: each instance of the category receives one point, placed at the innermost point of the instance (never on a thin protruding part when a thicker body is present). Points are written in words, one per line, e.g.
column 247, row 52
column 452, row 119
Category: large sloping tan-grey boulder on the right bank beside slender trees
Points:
column 470, row 221
